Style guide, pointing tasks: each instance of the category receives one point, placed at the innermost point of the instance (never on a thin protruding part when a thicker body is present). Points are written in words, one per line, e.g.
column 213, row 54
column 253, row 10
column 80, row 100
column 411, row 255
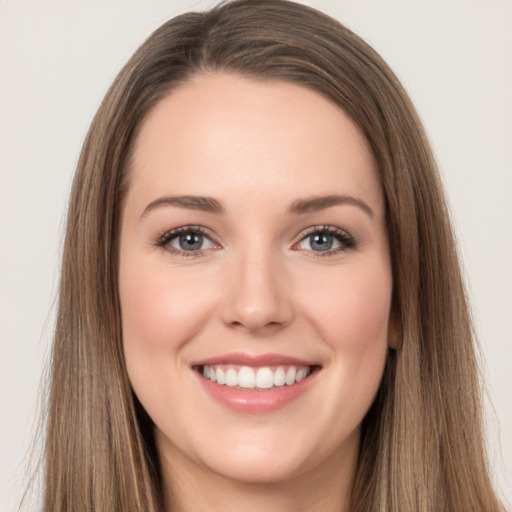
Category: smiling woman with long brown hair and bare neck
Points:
column 256, row 200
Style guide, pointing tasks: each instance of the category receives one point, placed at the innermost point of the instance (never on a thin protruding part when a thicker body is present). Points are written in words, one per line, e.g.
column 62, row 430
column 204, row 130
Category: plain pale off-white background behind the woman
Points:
column 56, row 62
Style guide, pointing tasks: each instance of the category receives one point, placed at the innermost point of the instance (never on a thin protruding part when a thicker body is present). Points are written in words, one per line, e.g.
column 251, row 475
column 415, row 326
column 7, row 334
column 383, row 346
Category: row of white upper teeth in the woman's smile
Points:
column 251, row 378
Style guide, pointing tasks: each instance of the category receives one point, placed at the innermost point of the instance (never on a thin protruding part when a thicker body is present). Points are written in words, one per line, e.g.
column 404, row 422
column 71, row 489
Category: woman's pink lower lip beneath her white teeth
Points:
column 255, row 401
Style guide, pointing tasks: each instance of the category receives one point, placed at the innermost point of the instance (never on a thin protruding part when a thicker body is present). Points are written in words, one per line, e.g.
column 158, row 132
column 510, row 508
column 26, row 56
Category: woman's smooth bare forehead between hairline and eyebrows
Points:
column 221, row 132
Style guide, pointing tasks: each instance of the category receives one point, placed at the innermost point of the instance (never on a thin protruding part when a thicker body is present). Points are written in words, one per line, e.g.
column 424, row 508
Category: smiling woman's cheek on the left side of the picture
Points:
column 161, row 312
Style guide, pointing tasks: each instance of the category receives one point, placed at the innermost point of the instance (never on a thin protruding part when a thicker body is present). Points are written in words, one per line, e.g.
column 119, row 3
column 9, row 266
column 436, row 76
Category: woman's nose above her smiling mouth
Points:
column 257, row 297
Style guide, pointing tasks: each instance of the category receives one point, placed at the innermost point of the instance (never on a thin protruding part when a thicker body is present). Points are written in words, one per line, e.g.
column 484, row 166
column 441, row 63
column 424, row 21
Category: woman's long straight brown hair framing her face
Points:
column 422, row 447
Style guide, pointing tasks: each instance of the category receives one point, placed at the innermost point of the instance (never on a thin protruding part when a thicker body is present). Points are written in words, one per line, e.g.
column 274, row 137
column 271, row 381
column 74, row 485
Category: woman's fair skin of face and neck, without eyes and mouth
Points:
column 257, row 286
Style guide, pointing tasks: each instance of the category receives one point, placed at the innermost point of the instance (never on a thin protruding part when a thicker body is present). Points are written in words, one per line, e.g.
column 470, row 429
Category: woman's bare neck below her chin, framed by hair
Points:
column 189, row 487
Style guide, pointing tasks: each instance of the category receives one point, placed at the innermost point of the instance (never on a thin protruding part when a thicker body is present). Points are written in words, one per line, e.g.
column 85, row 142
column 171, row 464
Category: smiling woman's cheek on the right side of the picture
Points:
column 351, row 312
